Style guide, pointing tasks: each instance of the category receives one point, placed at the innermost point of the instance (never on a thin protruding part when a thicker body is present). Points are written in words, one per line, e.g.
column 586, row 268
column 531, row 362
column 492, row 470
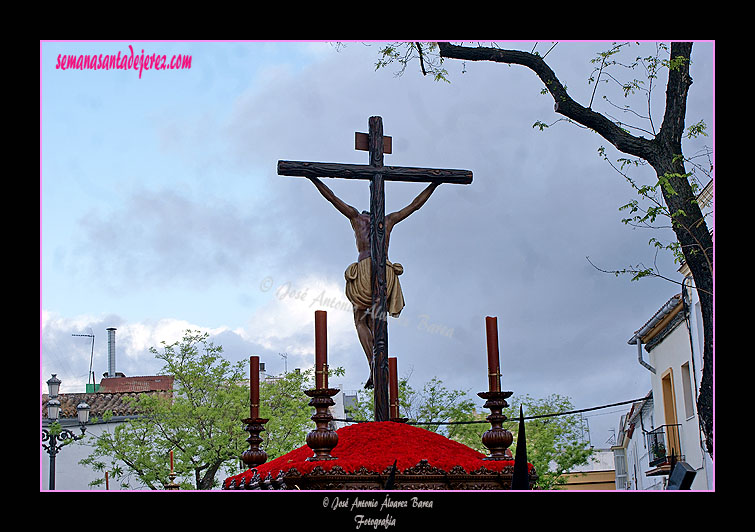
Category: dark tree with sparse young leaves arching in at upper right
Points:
column 660, row 147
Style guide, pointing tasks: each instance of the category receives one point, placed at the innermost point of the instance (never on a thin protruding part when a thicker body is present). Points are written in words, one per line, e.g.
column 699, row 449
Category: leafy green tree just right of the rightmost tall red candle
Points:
column 555, row 444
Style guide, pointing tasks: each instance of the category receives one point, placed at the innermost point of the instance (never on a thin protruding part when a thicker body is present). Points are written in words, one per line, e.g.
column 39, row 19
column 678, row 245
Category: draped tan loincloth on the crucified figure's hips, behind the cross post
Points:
column 359, row 285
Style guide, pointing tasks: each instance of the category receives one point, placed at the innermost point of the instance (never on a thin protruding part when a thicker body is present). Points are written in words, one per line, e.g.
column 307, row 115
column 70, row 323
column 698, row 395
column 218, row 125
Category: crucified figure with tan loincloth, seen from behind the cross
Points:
column 358, row 274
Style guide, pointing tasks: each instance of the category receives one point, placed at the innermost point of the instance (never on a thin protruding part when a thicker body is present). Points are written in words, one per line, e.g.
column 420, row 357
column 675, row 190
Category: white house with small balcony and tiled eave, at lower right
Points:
column 669, row 346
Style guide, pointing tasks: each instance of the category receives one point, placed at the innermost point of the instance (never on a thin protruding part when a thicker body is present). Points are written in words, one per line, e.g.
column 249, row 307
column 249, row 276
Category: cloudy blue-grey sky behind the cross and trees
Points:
column 162, row 210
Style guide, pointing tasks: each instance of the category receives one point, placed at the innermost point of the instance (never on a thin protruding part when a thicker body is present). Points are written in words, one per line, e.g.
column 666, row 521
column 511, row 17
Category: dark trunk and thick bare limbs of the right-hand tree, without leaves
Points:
column 664, row 154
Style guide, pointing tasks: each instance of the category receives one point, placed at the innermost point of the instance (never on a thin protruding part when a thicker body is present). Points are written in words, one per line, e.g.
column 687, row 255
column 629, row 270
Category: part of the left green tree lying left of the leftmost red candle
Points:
column 199, row 423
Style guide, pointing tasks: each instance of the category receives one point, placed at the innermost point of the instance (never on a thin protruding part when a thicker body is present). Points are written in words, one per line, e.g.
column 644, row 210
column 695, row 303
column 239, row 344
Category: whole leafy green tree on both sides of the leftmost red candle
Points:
column 202, row 421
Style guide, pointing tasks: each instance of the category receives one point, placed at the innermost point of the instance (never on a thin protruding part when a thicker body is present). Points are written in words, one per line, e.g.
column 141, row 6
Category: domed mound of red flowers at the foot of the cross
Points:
column 375, row 446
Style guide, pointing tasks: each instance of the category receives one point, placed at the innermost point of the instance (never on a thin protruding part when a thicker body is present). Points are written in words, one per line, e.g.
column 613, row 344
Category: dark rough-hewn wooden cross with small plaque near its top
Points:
column 377, row 174
